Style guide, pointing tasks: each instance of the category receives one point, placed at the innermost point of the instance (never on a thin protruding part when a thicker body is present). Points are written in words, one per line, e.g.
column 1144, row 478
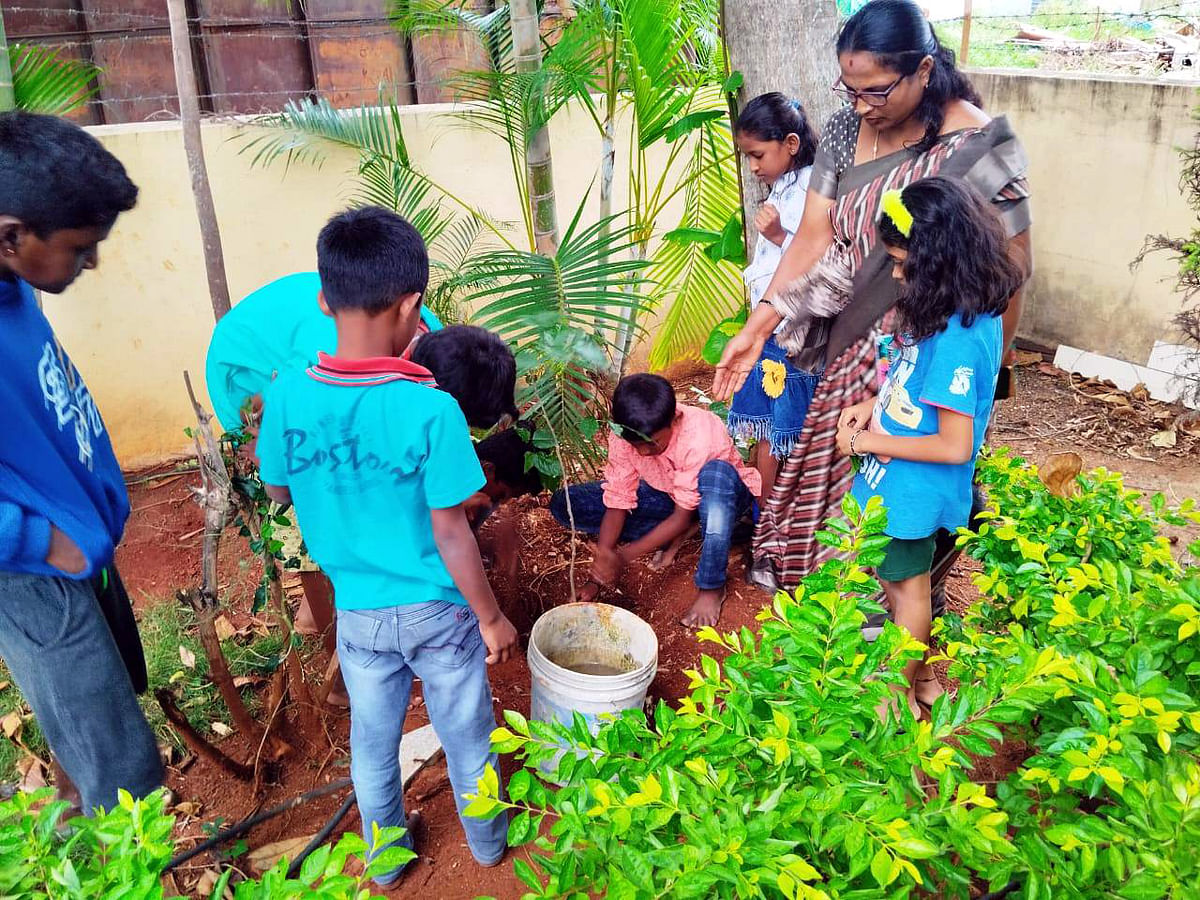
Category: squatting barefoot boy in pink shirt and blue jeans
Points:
column 669, row 467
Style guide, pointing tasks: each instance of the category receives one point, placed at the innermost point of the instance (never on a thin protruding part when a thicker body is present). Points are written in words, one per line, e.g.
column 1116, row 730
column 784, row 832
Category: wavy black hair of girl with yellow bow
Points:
column 958, row 257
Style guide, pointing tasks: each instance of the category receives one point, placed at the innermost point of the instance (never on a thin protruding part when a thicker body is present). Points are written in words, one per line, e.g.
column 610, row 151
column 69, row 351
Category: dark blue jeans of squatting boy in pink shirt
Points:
column 724, row 500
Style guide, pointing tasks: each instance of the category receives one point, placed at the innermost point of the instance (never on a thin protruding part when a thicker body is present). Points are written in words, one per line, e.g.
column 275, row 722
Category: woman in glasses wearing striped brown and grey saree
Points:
column 910, row 115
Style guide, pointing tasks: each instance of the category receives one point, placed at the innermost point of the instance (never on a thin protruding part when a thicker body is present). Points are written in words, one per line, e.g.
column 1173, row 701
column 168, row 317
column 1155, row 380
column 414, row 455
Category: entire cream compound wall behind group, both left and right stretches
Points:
column 1105, row 175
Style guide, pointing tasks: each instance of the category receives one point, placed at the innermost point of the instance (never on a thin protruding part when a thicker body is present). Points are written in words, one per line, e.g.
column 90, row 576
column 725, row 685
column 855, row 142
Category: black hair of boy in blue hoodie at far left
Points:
column 56, row 176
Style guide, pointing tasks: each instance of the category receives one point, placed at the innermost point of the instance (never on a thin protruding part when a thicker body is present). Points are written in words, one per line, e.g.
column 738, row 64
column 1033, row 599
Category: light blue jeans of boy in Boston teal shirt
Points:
column 381, row 651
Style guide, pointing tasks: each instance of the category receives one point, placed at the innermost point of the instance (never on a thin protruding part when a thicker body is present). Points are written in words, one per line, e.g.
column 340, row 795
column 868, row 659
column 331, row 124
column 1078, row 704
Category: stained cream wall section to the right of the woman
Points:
column 1105, row 173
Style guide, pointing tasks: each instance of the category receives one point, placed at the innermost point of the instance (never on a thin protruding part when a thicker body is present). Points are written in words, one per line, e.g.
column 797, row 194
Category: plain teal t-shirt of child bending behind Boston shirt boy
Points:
column 278, row 328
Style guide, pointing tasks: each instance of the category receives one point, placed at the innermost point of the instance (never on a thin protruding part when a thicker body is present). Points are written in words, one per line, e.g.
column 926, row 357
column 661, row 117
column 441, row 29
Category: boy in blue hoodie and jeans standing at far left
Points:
column 63, row 499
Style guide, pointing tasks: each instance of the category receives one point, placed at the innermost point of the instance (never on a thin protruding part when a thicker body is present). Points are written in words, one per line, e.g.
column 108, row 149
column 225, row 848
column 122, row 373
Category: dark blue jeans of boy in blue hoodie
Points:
column 61, row 651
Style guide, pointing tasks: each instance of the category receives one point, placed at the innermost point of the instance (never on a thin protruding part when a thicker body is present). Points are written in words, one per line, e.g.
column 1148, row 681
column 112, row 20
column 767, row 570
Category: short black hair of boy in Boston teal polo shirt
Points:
column 369, row 259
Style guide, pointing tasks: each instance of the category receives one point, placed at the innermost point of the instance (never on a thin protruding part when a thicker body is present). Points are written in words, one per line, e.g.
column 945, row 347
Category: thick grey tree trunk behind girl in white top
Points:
column 787, row 46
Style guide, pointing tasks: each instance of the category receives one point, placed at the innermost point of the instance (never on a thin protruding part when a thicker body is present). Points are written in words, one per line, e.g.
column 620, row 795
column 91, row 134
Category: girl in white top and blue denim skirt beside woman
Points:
column 775, row 136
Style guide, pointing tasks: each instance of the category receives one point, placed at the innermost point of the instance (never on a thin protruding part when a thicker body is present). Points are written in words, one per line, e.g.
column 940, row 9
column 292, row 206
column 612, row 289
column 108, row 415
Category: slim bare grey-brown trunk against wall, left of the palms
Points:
column 190, row 116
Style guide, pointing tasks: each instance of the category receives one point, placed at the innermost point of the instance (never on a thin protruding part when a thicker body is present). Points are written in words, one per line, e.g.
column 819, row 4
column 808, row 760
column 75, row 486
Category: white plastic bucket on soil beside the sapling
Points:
column 590, row 637
